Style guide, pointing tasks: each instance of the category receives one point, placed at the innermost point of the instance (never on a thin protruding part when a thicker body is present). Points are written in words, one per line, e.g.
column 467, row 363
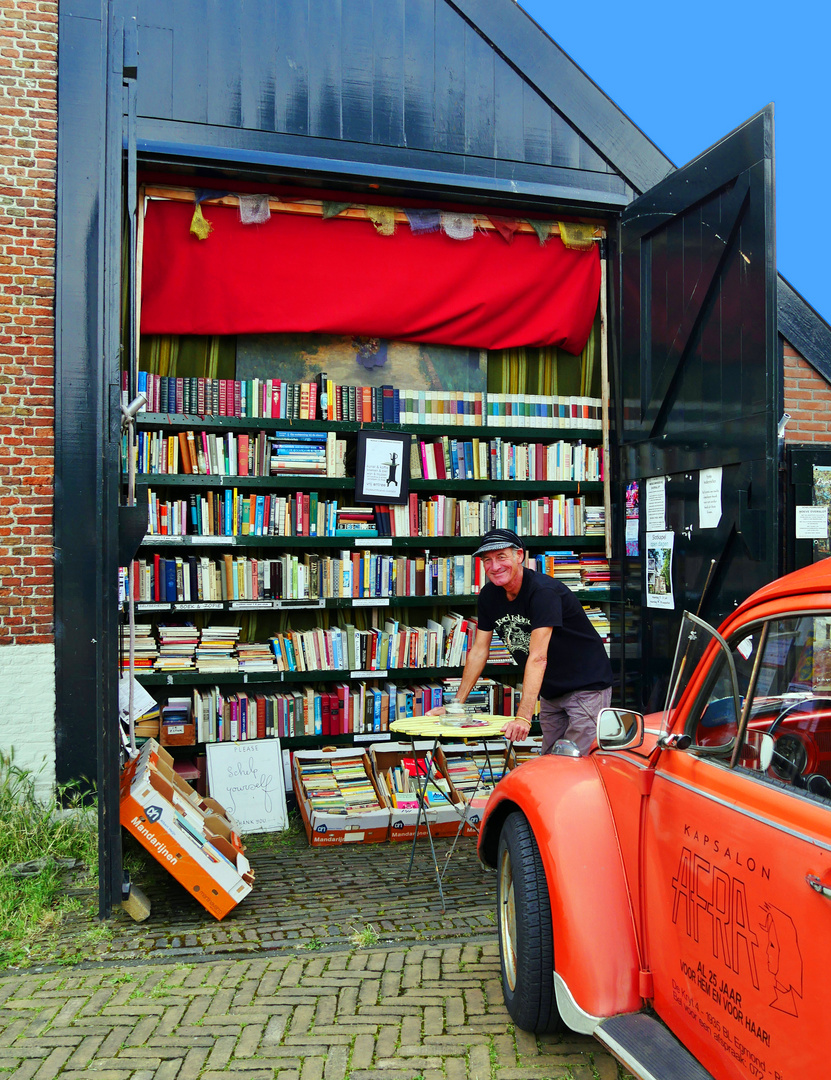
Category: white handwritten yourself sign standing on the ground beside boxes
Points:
column 248, row 779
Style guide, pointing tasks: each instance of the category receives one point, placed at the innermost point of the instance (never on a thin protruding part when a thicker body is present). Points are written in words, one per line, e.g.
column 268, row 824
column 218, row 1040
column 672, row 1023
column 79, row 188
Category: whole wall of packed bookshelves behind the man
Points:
column 233, row 545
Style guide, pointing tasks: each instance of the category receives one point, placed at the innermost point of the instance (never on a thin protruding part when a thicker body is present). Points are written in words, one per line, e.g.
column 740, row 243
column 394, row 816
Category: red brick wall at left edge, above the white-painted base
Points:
column 29, row 129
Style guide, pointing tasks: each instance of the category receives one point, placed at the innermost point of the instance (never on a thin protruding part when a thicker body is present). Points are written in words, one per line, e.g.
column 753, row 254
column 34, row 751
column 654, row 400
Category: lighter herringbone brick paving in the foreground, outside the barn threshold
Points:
column 423, row 1014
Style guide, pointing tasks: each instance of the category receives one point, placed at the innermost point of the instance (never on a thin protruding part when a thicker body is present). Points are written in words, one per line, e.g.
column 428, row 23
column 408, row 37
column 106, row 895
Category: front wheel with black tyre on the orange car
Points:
column 527, row 946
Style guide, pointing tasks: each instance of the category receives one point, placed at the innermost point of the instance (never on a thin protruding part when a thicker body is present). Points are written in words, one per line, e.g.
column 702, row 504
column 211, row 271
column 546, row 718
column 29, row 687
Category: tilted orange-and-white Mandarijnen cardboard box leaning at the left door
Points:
column 194, row 839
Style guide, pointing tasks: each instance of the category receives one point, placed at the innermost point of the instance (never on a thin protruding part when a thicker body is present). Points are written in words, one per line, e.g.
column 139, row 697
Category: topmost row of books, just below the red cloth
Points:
column 325, row 400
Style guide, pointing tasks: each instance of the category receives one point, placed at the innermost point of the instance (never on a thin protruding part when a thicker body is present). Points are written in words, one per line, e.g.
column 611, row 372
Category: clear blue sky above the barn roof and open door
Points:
column 688, row 75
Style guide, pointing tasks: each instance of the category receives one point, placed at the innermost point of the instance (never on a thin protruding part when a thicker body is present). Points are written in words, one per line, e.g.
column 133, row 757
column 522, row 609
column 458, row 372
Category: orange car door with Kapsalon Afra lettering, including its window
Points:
column 739, row 857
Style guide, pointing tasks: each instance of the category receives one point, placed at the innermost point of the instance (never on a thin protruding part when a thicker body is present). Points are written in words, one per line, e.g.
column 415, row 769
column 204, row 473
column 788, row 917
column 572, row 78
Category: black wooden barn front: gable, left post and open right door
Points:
column 452, row 100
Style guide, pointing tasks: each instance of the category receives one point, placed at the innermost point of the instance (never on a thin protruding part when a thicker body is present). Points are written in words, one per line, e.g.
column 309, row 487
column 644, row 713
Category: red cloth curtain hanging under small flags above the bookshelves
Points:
column 302, row 274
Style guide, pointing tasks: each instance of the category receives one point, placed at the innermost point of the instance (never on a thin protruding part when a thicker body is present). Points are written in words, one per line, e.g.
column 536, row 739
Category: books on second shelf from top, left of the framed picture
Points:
column 242, row 454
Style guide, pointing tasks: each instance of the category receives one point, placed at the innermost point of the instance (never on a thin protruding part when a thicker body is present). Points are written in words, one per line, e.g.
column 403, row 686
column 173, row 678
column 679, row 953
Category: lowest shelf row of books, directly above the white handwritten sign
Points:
column 357, row 708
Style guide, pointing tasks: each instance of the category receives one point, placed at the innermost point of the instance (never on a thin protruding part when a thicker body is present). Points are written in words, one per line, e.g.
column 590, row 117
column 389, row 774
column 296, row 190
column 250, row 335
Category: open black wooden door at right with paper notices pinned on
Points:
column 698, row 384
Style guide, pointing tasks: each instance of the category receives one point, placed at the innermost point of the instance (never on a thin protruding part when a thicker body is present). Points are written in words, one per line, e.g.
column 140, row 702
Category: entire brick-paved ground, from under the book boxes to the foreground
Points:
column 280, row 990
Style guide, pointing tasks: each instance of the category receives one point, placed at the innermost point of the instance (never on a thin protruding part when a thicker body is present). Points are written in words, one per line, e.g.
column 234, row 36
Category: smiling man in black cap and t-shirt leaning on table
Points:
column 547, row 632
